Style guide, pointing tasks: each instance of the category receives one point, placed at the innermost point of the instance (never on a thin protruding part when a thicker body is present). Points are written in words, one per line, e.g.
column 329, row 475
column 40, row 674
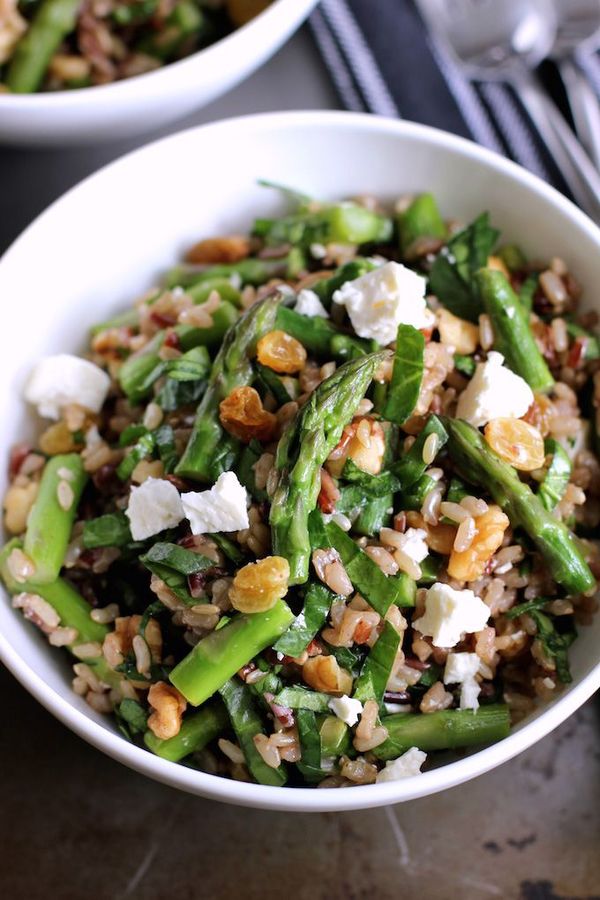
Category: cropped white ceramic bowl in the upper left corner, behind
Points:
column 137, row 105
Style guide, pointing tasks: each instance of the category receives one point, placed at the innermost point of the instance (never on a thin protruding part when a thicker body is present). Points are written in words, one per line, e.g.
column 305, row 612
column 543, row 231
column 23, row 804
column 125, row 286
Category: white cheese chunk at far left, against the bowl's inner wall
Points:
column 58, row 381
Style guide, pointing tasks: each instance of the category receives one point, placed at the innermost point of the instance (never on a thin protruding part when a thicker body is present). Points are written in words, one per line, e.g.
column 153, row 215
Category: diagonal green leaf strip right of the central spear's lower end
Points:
column 380, row 590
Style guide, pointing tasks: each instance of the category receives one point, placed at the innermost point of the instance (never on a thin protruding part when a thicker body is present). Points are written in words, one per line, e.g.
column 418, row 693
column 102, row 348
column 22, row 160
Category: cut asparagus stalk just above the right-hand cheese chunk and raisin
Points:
column 512, row 334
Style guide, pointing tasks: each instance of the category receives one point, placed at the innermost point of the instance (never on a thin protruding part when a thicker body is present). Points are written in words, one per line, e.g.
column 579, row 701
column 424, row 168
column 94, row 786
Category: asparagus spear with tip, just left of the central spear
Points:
column 210, row 450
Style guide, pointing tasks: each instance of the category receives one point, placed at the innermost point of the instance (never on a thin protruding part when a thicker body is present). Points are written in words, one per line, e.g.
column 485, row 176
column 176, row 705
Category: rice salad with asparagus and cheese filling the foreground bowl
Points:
column 321, row 505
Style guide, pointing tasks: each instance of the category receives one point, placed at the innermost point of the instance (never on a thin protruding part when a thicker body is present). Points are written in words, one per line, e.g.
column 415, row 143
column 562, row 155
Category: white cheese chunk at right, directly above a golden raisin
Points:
column 493, row 392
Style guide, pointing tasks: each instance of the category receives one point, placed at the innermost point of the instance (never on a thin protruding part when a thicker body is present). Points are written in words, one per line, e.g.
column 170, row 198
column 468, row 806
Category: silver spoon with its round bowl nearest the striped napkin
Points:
column 505, row 42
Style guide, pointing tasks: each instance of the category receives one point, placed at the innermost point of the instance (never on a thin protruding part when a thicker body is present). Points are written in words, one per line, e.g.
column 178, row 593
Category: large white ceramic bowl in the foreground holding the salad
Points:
column 79, row 263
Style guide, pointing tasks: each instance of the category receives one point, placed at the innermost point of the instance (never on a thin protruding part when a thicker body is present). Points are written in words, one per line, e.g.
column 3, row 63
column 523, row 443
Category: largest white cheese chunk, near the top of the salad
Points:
column 383, row 299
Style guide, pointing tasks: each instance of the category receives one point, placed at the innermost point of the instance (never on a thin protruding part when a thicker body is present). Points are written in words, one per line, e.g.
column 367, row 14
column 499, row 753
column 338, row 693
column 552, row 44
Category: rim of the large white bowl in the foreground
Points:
column 309, row 799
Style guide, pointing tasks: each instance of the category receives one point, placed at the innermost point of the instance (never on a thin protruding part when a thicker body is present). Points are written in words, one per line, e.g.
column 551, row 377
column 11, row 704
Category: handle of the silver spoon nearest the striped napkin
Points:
column 575, row 166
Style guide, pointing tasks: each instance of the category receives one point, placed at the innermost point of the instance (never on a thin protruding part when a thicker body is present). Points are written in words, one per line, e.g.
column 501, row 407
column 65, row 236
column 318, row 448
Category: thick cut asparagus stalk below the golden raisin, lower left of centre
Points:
column 217, row 657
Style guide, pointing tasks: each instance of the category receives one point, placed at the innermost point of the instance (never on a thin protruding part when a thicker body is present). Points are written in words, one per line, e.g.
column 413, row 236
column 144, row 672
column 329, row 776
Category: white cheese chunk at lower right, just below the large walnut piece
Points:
column 449, row 614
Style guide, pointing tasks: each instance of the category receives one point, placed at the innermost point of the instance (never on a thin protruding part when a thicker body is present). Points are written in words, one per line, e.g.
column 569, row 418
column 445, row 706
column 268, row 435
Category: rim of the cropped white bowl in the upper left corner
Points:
column 101, row 93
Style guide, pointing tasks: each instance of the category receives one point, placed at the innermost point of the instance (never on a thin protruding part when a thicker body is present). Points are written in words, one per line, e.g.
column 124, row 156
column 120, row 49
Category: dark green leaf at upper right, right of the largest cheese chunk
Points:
column 451, row 276
